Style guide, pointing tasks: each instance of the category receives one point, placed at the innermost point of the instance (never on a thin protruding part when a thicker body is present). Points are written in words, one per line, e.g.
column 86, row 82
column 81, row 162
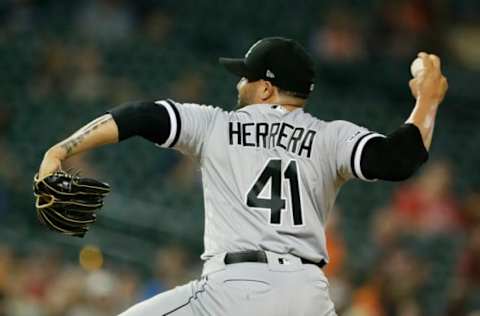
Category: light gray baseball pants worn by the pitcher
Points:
column 284, row 287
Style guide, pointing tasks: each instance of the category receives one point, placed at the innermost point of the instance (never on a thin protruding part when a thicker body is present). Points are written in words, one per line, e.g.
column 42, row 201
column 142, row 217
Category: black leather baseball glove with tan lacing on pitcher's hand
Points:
column 68, row 203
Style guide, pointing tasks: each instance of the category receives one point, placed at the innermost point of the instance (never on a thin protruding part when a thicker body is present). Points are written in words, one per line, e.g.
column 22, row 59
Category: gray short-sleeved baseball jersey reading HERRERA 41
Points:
column 270, row 176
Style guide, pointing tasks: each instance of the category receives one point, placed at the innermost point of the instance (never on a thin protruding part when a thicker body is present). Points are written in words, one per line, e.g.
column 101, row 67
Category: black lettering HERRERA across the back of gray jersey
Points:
column 294, row 139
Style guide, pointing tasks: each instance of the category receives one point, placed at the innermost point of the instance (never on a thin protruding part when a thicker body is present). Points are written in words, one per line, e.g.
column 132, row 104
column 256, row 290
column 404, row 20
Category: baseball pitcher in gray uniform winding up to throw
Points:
column 270, row 171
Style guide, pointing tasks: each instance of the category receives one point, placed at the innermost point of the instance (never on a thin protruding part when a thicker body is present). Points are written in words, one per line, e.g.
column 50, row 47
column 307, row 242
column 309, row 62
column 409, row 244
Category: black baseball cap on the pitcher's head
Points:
column 282, row 61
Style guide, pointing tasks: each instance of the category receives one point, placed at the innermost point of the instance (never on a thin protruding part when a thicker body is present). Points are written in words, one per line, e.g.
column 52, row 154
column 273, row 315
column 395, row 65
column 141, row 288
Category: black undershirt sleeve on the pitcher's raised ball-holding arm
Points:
column 395, row 157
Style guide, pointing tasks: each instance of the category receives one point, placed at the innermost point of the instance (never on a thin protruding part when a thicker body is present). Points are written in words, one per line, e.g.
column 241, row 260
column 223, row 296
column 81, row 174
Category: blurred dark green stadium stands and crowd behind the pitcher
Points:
column 403, row 249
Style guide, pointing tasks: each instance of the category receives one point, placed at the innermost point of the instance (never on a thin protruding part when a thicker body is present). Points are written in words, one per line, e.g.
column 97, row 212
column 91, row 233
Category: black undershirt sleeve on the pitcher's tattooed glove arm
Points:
column 146, row 119
